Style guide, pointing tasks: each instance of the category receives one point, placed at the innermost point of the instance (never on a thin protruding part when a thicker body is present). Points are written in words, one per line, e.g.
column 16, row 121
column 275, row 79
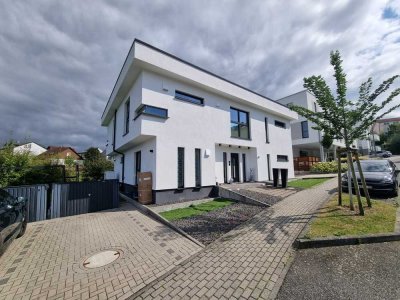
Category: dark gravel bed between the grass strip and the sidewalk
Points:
column 208, row 227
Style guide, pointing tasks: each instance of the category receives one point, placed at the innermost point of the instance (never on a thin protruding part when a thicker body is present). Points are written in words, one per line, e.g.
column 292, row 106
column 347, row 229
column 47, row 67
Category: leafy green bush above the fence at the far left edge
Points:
column 13, row 166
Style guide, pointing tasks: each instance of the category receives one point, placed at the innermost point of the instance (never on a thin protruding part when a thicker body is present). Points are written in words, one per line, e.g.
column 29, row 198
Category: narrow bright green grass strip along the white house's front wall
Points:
column 194, row 210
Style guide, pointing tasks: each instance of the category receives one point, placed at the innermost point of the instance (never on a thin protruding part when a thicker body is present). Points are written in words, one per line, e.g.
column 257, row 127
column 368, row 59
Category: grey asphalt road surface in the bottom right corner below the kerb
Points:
column 348, row 272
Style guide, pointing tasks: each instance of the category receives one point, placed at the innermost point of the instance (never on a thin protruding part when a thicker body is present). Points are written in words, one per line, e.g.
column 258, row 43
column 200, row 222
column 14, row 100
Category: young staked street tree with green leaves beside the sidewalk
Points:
column 342, row 118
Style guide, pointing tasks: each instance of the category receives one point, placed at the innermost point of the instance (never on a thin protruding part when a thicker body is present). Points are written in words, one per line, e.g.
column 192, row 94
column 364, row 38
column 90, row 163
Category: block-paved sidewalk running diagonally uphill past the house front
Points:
column 248, row 262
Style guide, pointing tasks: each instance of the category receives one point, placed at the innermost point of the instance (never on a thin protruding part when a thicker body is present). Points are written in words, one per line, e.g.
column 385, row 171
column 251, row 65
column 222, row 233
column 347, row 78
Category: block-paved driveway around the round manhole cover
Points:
column 47, row 262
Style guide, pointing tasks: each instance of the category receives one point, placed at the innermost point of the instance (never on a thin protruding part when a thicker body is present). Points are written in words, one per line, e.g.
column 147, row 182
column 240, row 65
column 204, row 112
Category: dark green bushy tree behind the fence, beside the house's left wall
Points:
column 96, row 164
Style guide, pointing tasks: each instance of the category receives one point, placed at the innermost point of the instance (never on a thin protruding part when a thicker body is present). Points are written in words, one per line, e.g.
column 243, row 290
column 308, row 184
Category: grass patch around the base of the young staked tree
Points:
column 334, row 220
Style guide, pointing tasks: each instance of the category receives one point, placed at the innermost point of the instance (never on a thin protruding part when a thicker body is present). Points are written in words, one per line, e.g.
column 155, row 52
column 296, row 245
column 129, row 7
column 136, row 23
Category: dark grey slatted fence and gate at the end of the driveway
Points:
column 68, row 199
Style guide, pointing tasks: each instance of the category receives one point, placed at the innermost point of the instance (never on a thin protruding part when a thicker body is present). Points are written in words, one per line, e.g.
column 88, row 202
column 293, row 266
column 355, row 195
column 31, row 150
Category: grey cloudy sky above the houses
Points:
column 59, row 60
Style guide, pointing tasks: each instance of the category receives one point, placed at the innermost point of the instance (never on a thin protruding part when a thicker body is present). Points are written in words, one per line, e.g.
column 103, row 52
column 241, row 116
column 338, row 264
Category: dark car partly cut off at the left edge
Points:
column 12, row 218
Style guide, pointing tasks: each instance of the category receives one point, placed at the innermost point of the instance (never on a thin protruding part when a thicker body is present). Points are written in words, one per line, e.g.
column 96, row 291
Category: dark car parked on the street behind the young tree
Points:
column 380, row 175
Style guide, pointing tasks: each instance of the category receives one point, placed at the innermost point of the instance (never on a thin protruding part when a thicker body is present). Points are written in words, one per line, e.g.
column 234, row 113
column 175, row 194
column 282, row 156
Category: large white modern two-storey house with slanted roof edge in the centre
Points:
column 190, row 128
